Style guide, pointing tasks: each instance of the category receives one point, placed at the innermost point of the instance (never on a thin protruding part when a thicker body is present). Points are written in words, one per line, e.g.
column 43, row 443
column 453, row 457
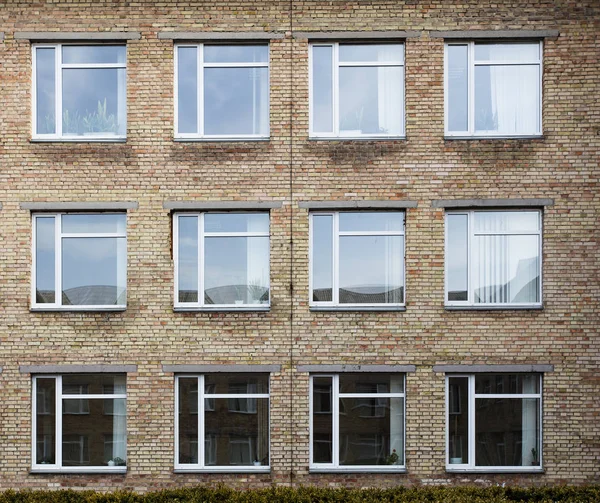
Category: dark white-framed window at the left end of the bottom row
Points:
column 72, row 432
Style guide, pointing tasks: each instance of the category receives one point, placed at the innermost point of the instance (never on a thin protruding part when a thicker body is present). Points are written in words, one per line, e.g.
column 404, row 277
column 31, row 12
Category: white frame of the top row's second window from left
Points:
column 200, row 135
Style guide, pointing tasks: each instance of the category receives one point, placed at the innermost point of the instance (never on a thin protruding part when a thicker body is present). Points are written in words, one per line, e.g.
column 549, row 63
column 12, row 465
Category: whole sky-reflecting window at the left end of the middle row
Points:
column 80, row 261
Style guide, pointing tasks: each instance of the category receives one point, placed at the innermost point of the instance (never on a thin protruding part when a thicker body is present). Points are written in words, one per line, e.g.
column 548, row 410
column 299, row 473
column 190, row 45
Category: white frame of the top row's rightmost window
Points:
column 472, row 63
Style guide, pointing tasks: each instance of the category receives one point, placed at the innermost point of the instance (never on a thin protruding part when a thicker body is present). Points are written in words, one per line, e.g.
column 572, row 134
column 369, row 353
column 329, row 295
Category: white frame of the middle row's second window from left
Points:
column 200, row 305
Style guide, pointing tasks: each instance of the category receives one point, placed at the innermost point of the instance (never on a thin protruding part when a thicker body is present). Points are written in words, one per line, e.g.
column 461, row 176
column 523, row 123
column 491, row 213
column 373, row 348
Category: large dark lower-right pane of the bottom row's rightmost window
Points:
column 507, row 432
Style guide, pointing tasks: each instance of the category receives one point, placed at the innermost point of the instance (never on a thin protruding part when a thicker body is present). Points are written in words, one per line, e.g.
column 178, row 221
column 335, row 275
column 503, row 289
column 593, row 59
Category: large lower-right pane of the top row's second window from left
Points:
column 236, row 101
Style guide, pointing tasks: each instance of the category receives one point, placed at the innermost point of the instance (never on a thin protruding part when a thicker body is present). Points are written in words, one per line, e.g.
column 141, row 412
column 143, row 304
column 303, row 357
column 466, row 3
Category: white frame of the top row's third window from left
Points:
column 336, row 64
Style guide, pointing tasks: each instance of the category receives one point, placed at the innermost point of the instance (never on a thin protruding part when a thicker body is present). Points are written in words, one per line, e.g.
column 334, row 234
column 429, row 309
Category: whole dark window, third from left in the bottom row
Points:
column 357, row 422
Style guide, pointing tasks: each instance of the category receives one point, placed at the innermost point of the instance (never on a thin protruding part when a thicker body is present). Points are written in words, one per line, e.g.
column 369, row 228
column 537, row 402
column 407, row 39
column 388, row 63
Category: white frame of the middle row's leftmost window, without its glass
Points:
column 58, row 235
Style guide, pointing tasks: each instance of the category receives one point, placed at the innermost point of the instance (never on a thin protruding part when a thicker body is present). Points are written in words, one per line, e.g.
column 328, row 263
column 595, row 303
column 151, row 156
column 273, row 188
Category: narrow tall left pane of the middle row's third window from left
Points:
column 322, row 258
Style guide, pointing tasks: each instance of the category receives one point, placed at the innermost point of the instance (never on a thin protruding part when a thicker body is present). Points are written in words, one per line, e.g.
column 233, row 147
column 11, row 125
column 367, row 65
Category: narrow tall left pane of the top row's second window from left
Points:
column 187, row 90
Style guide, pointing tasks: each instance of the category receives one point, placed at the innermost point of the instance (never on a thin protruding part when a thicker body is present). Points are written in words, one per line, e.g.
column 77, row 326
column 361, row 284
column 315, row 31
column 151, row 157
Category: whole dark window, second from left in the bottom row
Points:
column 233, row 421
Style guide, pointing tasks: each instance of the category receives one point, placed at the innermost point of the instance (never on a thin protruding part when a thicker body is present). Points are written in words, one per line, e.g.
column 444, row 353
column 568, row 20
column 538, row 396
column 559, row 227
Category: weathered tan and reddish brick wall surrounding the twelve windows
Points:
column 151, row 168
